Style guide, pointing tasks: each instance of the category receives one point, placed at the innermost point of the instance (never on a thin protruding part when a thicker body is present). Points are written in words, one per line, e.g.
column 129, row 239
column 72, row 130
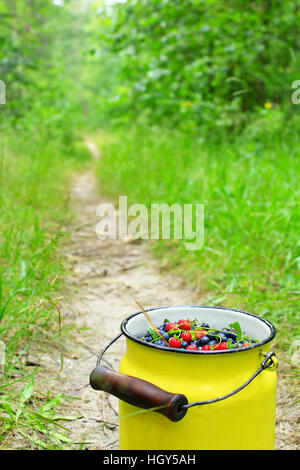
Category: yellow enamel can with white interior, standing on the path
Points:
column 241, row 414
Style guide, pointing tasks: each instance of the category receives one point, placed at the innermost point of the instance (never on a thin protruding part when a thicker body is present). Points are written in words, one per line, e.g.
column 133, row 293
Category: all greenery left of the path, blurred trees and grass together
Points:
column 41, row 50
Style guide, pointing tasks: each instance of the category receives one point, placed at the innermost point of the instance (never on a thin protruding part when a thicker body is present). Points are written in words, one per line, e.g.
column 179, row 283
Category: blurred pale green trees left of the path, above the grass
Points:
column 40, row 58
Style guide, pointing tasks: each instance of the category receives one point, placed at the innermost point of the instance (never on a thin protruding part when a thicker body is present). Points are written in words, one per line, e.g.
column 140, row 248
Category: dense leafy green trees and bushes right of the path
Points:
column 200, row 62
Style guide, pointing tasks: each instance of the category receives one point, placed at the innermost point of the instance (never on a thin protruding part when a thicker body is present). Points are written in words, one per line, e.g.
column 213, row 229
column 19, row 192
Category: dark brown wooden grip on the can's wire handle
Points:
column 138, row 392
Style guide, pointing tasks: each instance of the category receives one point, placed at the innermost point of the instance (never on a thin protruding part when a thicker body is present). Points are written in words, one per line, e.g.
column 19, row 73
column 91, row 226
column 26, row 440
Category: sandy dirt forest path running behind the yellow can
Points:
column 105, row 276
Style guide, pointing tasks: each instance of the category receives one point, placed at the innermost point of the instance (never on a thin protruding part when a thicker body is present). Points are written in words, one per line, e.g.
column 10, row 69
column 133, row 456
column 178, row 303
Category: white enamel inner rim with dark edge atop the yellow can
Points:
column 218, row 317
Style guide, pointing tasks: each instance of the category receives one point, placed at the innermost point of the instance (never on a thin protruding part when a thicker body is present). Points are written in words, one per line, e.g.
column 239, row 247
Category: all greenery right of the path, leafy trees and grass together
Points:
column 202, row 90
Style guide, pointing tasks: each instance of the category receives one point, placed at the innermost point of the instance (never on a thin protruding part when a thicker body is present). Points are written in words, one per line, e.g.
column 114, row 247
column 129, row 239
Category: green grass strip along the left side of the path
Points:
column 34, row 179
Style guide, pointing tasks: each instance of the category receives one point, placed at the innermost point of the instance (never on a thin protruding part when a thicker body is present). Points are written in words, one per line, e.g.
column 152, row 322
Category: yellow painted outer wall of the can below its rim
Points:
column 245, row 420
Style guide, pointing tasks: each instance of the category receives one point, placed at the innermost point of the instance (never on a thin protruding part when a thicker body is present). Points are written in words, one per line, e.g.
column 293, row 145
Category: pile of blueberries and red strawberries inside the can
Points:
column 194, row 336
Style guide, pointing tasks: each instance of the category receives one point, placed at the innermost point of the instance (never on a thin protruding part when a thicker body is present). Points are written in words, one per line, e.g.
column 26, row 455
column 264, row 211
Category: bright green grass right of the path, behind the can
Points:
column 249, row 185
